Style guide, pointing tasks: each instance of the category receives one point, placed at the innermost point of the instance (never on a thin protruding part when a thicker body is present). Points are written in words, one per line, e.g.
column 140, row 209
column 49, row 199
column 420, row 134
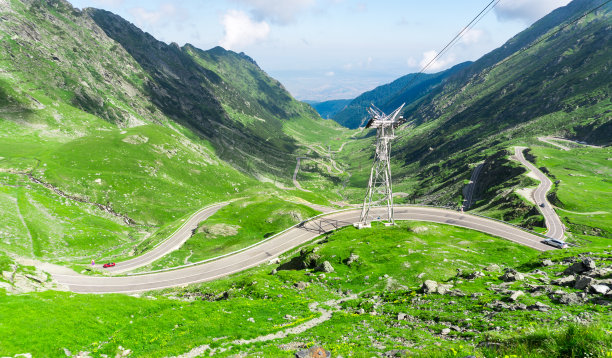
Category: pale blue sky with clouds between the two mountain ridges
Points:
column 333, row 49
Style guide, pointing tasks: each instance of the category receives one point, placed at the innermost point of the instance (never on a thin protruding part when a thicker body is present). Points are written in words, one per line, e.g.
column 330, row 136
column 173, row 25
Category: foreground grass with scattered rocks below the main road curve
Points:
column 392, row 263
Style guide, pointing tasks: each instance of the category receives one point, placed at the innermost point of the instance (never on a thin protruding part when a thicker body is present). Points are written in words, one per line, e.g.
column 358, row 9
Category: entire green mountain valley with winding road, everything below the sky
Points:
column 228, row 206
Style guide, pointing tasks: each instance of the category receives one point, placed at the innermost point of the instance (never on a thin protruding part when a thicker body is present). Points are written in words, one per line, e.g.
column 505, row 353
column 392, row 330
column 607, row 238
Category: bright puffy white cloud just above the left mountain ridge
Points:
column 240, row 30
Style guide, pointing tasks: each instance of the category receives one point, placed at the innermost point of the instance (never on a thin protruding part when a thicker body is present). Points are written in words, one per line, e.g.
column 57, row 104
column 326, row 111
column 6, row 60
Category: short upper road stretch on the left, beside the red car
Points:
column 173, row 243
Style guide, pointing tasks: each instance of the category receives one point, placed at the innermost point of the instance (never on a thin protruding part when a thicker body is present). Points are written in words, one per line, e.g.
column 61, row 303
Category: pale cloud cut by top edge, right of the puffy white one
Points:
column 279, row 12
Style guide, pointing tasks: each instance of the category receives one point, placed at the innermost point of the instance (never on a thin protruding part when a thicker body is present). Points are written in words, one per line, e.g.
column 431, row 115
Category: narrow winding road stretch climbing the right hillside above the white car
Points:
column 553, row 223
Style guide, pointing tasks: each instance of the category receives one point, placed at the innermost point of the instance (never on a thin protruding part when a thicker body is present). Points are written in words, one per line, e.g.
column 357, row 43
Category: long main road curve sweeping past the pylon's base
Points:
column 292, row 238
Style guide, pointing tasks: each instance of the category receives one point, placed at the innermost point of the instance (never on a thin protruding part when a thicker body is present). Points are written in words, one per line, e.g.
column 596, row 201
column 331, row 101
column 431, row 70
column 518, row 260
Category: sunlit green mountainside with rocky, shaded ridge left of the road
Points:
column 104, row 147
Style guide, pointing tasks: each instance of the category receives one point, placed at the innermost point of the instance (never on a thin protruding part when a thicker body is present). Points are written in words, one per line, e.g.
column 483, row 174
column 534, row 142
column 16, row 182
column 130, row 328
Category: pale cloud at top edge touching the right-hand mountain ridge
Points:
column 527, row 11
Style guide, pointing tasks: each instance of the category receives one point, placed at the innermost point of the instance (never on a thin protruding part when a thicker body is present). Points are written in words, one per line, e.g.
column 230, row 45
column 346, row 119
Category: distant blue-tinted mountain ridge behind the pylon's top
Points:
column 408, row 89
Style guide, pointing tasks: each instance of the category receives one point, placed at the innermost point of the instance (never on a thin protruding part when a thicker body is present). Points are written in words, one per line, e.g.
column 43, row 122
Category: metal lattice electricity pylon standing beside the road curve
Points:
column 379, row 186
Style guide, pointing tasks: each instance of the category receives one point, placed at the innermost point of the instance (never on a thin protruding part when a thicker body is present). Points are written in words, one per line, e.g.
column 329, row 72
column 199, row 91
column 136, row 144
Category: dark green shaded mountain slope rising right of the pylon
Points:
column 561, row 85
